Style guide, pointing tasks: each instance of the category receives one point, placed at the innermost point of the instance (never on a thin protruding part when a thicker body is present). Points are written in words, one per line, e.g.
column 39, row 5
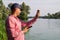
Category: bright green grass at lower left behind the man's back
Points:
column 2, row 30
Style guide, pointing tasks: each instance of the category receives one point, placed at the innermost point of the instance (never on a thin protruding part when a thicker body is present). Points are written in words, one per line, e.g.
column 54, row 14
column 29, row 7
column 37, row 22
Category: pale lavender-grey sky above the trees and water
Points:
column 45, row 6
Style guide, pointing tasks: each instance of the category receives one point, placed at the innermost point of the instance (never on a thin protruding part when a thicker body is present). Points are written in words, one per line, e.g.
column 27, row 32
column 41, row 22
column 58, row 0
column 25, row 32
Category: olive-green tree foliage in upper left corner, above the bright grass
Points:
column 3, row 11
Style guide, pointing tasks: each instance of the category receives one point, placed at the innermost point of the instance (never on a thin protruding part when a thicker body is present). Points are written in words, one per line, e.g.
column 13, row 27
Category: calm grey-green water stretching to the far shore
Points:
column 44, row 29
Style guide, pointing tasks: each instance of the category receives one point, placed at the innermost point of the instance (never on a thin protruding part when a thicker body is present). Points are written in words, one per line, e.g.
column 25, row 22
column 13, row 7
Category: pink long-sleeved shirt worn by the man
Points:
column 14, row 25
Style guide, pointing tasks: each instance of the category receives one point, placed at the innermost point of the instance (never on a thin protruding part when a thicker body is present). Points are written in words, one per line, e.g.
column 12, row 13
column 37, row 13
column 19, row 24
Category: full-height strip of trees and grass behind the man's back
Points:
column 3, row 14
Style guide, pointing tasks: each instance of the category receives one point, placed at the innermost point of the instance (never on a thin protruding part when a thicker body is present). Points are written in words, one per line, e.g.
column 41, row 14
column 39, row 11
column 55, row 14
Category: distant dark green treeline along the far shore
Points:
column 50, row 16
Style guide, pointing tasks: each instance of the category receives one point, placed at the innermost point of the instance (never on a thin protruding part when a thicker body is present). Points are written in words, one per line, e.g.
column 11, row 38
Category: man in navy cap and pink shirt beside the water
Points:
column 14, row 24
